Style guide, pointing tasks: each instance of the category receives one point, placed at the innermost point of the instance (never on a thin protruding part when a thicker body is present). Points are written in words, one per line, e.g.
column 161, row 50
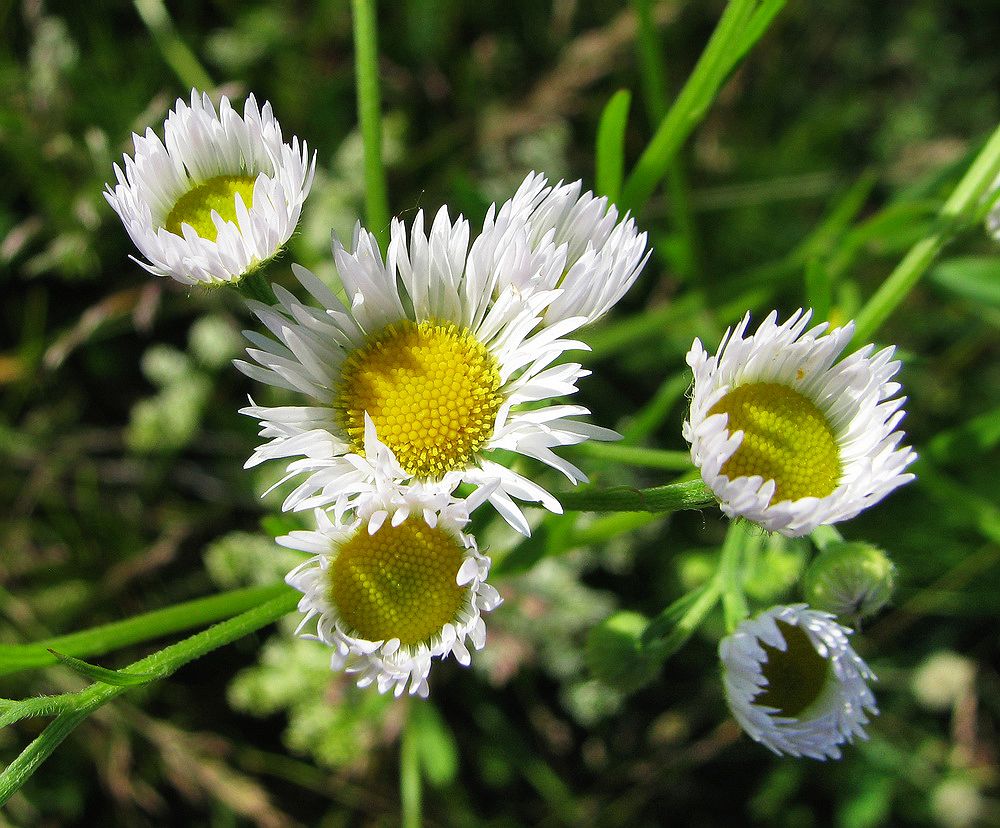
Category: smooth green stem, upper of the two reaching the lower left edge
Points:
column 156, row 624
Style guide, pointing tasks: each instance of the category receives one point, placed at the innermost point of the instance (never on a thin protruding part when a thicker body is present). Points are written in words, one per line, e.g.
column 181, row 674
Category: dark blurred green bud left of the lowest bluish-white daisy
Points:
column 616, row 655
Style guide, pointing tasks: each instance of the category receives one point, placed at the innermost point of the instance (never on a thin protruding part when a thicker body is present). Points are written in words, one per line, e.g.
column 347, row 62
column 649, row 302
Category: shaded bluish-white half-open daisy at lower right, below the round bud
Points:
column 794, row 683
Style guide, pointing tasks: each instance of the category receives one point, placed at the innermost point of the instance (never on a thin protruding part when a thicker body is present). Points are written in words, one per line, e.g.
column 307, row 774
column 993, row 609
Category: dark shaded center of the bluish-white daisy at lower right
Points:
column 796, row 676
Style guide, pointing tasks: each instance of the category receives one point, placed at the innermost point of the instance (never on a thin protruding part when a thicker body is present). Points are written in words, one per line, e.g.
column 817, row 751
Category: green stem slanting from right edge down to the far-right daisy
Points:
column 960, row 208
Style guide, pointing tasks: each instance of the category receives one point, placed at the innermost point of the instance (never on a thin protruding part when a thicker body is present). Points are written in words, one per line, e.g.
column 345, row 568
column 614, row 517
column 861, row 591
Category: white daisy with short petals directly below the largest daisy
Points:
column 399, row 586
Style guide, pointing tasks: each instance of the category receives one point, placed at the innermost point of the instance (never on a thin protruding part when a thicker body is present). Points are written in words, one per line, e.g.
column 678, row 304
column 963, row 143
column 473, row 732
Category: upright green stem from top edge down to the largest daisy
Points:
column 370, row 116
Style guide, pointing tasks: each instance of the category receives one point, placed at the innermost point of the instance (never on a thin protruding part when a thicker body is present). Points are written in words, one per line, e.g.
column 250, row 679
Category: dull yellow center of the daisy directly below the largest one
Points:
column 398, row 583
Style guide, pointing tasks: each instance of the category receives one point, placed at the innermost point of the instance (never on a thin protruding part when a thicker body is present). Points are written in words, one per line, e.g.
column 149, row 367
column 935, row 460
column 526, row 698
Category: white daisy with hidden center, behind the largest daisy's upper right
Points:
column 596, row 256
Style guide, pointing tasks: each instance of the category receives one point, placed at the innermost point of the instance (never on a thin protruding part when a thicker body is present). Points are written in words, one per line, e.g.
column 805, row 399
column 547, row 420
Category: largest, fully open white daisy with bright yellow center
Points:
column 444, row 369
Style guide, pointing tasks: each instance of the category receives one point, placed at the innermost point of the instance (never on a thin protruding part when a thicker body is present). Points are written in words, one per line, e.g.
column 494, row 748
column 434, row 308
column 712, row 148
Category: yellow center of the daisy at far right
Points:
column 786, row 438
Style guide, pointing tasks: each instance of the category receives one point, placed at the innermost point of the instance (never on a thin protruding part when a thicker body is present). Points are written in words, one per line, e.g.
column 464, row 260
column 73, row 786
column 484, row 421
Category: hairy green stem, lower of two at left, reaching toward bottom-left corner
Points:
column 163, row 662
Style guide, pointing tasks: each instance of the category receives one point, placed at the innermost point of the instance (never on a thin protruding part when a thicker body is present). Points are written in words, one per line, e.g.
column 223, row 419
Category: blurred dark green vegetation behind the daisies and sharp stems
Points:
column 121, row 488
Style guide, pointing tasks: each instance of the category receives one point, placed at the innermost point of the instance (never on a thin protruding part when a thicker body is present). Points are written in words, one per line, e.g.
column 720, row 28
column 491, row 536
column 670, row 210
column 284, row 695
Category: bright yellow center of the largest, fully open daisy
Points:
column 431, row 389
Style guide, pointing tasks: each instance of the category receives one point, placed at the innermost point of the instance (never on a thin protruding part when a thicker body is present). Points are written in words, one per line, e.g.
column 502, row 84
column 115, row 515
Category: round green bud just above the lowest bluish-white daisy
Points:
column 850, row 580
